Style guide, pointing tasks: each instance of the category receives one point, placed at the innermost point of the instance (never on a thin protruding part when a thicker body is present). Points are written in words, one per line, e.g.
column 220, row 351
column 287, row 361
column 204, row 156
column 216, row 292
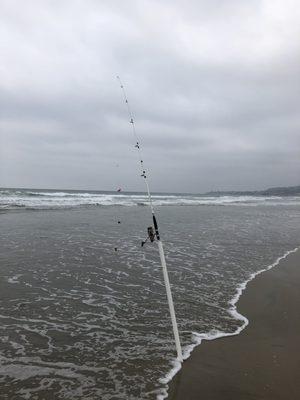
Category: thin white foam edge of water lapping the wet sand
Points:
column 215, row 334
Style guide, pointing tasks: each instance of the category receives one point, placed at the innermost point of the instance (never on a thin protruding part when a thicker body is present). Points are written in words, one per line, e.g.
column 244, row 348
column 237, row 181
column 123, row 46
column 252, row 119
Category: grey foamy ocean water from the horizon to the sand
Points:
column 80, row 320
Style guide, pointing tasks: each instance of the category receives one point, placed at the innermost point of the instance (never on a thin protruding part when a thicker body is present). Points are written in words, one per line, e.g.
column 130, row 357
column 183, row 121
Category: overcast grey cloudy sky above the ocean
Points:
column 214, row 87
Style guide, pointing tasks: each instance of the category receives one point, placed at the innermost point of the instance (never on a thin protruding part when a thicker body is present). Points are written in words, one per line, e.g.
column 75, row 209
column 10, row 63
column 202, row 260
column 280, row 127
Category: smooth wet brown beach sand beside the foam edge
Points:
column 263, row 361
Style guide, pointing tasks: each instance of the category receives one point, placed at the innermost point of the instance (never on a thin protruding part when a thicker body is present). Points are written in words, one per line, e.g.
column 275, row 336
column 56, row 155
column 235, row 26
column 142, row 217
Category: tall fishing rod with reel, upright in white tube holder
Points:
column 153, row 234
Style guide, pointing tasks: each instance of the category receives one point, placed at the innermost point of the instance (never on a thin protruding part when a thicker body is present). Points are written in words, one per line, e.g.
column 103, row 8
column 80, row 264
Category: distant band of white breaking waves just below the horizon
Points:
column 31, row 199
